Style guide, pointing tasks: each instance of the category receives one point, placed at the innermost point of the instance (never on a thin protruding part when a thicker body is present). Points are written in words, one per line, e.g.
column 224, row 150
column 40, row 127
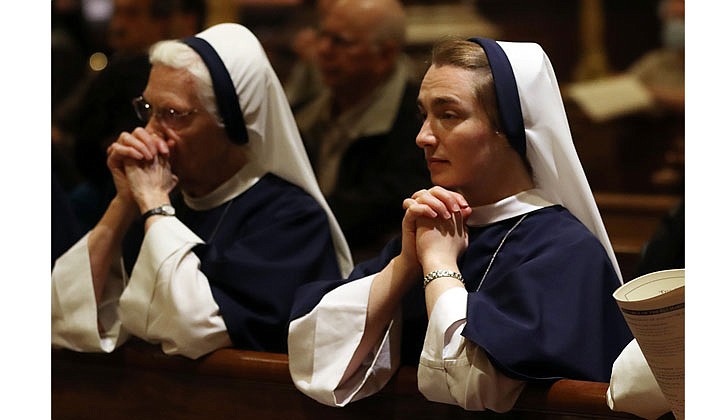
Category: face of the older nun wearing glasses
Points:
column 199, row 146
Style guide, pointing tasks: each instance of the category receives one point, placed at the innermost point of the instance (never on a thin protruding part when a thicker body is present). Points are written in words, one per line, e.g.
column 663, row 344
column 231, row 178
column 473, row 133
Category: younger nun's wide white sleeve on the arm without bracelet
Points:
column 322, row 343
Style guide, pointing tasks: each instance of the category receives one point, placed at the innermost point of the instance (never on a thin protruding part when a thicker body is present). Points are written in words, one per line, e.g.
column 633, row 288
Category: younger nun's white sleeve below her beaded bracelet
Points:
column 454, row 370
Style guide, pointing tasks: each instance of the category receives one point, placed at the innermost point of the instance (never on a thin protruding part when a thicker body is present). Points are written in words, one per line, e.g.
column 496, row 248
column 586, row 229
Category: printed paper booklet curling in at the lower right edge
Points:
column 654, row 307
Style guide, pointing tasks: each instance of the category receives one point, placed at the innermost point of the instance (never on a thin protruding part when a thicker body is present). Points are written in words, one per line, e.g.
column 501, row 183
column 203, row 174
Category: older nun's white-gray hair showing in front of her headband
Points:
column 178, row 55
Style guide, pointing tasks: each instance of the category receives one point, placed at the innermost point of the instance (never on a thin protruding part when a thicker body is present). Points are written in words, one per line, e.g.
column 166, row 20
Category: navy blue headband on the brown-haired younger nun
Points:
column 506, row 92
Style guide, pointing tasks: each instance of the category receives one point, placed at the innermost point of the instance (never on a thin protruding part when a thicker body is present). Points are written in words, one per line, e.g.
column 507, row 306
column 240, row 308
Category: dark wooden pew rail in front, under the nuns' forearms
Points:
column 138, row 381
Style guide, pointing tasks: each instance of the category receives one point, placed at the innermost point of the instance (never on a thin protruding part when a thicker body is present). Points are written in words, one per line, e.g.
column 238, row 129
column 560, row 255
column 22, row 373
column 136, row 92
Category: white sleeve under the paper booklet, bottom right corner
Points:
column 633, row 388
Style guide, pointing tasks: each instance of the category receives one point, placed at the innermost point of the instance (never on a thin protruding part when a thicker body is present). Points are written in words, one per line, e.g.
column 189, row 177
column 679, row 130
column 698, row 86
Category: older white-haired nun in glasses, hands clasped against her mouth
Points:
column 250, row 224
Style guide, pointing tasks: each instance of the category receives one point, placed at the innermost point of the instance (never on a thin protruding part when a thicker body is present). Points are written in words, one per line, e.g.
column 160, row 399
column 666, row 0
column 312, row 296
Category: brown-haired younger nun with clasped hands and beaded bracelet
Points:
column 517, row 268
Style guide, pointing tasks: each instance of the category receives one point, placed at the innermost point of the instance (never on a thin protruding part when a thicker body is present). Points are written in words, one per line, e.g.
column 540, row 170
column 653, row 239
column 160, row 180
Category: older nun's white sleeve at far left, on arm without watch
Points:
column 75, row 317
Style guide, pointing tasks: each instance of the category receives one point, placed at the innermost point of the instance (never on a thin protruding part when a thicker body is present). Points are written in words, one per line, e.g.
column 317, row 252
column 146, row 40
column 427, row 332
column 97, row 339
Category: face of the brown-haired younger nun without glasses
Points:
column 462, row 149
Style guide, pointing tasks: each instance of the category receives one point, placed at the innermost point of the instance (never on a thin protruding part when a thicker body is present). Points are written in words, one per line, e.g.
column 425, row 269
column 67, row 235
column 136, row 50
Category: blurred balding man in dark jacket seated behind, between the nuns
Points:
column 360, row 130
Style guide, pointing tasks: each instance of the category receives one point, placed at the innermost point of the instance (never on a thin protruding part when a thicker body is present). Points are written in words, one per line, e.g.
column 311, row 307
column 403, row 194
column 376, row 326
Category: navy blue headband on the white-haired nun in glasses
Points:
column 227, row 100
